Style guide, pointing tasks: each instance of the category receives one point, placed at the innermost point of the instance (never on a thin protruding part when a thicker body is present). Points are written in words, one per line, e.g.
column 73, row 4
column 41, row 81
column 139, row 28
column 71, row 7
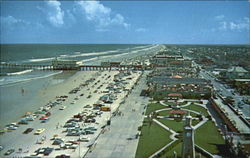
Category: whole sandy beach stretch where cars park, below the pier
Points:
column 28, row 142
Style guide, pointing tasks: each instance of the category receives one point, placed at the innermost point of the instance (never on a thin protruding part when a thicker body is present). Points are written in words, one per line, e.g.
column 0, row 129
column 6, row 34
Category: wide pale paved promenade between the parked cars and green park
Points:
column 114, row 143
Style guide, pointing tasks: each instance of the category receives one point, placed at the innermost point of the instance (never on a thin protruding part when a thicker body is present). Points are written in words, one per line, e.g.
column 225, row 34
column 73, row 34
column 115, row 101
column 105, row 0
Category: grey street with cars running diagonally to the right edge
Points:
column 226, row 92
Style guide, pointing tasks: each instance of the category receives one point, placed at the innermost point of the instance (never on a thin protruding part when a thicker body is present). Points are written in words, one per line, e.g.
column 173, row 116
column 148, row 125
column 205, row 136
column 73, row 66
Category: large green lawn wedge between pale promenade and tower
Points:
column 153, row 138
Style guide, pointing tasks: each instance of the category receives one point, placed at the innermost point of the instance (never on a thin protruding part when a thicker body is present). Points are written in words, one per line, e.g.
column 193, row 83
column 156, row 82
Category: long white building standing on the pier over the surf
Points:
column 65, row 64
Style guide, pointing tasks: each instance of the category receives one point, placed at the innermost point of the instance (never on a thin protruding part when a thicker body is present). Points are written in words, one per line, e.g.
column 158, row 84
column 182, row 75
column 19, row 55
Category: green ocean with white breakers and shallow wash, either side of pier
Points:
column 12, row 81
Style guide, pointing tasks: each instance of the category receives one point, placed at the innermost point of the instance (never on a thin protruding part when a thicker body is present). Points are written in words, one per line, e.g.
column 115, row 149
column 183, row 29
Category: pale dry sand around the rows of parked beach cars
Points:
column 28, row 142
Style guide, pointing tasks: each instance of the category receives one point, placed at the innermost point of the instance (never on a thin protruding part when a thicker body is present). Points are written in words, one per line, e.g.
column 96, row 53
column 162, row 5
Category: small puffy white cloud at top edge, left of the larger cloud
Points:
column 55, row 13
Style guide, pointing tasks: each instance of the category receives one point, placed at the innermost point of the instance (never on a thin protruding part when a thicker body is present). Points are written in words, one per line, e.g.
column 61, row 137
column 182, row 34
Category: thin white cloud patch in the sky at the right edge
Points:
column 238, row 25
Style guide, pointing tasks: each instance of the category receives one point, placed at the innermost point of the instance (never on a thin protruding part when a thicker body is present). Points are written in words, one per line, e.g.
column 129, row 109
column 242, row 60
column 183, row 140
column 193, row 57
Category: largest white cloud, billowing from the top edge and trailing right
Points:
column 102, row 16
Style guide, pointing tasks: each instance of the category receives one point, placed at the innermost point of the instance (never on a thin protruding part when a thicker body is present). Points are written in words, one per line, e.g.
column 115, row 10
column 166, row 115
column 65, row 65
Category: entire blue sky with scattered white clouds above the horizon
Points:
column 125, row 22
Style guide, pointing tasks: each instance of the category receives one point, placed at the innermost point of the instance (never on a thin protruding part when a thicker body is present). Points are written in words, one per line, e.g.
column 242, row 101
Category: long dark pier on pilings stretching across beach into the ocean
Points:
column 79, row 68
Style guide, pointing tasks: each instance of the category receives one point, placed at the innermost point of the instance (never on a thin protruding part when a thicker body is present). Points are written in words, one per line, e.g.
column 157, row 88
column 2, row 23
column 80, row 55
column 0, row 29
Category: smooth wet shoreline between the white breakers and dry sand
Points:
column 14, row 104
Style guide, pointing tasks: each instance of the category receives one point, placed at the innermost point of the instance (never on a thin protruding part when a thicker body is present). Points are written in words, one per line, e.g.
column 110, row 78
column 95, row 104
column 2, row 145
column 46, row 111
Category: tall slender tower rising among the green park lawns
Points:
column 188, row 139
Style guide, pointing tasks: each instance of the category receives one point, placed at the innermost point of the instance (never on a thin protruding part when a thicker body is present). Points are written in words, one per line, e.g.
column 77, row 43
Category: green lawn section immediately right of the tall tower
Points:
column 209, row 138
